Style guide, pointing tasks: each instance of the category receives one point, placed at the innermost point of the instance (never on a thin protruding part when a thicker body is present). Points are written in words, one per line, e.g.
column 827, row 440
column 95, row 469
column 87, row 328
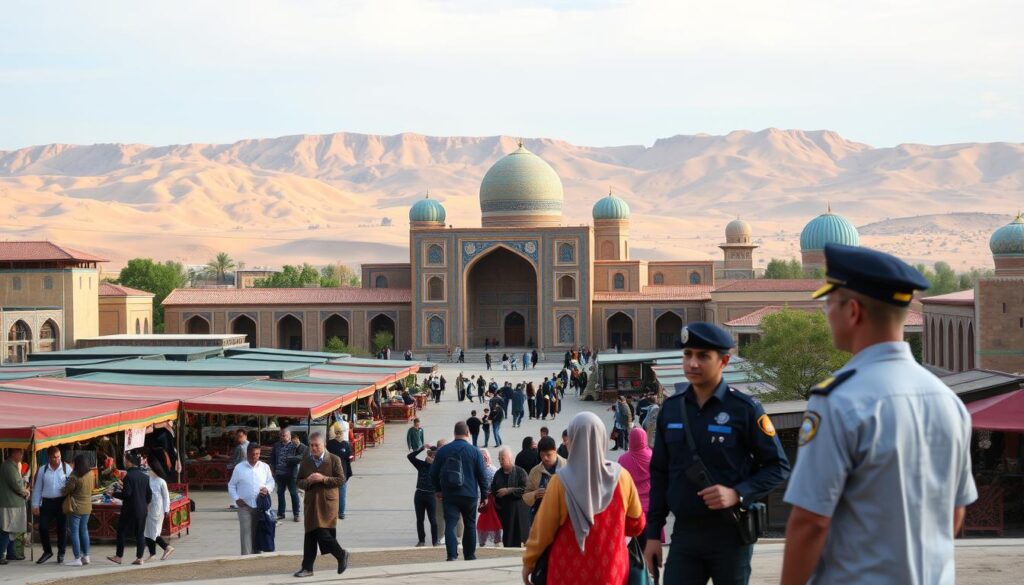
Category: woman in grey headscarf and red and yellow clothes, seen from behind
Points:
column 588, row 511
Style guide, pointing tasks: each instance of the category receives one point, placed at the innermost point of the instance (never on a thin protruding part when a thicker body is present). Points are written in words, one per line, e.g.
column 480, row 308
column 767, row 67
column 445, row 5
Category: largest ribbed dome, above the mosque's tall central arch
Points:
column 522, row 190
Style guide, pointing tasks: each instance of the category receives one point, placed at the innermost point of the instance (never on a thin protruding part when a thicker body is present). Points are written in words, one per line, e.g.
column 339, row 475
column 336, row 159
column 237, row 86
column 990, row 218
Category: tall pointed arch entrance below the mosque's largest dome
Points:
column 501, row 301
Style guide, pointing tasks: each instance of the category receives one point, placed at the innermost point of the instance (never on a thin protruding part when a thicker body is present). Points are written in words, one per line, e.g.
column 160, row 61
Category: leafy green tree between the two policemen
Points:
column 794, row 354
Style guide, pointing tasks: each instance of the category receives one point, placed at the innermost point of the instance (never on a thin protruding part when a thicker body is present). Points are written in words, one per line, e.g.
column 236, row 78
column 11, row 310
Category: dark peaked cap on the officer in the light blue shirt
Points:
column 871, row 273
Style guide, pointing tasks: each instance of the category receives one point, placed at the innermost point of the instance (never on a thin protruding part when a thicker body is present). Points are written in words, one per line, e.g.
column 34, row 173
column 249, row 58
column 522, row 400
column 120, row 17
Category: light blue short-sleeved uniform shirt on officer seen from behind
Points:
column 886, row 455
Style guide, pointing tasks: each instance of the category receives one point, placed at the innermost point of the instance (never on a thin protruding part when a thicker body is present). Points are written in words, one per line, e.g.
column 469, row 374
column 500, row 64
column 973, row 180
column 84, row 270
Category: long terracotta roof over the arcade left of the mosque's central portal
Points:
column 344, row 296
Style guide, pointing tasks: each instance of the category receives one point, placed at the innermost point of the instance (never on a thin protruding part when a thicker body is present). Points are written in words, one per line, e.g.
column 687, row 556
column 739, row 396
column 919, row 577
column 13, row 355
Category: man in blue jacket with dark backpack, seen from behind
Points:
column 458, row 475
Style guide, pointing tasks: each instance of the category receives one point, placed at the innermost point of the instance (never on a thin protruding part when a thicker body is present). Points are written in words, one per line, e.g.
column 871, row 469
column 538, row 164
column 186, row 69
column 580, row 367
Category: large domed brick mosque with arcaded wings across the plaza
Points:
column 521, row 280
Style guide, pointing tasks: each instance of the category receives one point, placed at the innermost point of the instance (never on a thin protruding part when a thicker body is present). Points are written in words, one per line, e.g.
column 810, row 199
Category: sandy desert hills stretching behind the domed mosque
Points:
column 323, row 198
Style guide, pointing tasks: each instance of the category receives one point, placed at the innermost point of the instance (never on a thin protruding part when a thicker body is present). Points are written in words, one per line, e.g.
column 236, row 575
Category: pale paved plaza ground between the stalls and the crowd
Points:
column 380, row 517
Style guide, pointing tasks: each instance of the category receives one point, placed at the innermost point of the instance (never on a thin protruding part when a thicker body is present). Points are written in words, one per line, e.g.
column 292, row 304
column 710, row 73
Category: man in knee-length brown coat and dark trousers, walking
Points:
column 321, row 475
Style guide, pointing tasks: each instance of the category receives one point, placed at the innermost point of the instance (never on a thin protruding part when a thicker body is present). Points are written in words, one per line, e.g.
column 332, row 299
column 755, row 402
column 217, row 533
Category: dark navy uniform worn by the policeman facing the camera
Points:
column 738, row 444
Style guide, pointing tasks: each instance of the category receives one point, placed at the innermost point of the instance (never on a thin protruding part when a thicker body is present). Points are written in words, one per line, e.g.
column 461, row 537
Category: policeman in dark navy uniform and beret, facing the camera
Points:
column 741, row 462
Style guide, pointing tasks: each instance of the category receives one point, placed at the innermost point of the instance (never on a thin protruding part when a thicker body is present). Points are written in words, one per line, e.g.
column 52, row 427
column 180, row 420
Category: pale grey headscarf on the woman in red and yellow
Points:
column 590, row 480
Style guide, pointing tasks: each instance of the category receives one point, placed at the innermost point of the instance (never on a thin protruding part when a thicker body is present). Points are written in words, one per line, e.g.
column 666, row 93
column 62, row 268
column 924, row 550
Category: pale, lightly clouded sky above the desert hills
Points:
column 595, row 73
